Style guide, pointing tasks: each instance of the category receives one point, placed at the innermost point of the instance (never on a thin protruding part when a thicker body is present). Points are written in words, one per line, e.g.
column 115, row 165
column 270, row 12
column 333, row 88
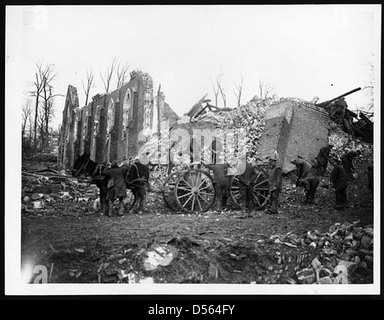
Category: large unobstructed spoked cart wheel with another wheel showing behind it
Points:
column 194, row 191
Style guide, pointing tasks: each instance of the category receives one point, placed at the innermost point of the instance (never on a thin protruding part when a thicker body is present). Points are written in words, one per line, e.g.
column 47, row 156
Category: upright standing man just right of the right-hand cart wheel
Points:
column 275, row 182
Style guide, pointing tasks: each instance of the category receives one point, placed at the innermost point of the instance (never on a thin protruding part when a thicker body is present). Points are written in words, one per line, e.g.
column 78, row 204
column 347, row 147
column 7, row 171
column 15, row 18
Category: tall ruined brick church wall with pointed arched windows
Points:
column 109, row 127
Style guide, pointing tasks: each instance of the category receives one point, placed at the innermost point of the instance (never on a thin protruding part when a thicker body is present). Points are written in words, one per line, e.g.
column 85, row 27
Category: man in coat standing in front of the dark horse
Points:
column 116, row 187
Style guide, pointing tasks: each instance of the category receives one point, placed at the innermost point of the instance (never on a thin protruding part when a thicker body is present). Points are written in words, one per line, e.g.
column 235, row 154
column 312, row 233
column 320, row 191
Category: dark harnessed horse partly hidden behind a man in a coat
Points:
column 136, row 180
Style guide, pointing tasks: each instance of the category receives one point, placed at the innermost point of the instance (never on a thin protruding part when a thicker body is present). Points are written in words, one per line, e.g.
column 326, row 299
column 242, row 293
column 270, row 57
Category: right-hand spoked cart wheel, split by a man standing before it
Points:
column 260, row 191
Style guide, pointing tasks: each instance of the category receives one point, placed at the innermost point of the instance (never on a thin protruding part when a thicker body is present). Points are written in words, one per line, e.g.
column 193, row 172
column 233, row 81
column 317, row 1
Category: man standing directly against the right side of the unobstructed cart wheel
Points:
column 220, row 183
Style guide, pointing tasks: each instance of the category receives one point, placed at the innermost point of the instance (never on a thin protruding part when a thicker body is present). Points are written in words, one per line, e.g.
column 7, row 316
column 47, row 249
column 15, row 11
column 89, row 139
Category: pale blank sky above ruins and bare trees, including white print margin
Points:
column 302, row 51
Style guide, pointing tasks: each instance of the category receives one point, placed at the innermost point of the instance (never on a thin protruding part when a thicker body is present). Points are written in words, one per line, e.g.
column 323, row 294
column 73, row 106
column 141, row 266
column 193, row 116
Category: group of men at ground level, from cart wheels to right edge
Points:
column 308, row 177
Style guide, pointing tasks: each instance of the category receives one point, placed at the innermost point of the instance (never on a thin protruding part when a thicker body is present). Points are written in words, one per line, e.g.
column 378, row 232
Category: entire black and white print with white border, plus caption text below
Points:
column 192, row 150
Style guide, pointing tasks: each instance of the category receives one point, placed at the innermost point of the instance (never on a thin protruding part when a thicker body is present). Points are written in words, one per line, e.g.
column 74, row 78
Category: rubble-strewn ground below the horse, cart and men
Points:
column 301, row 245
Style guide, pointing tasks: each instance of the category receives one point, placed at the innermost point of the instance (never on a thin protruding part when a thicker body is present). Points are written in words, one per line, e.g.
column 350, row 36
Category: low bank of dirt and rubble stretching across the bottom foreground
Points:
column 343, row 255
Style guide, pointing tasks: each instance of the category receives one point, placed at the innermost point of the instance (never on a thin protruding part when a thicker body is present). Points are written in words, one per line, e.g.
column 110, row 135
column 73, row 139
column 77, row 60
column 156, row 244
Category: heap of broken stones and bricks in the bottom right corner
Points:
column 343, row 255
